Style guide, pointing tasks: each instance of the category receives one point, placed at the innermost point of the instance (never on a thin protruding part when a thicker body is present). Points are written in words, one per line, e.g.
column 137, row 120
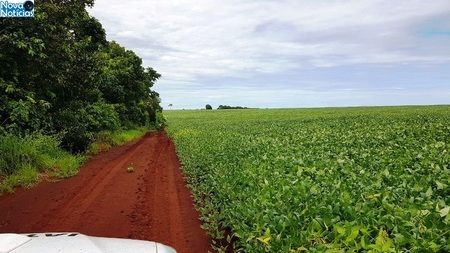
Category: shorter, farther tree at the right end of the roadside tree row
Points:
column 126, row 84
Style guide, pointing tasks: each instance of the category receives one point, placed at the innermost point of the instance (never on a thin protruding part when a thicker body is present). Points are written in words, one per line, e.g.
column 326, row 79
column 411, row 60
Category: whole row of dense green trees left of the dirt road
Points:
column 59, row 75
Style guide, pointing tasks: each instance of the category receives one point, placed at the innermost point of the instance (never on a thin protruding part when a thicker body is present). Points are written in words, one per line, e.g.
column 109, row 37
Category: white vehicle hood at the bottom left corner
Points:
column 76, row 242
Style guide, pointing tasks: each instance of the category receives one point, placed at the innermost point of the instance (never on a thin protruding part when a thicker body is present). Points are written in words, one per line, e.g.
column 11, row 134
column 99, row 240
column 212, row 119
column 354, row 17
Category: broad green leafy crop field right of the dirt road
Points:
column 320, row 180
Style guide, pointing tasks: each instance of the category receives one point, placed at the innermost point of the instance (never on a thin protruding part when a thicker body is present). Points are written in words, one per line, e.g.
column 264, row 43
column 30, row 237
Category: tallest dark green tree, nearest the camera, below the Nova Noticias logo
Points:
column 42, row 59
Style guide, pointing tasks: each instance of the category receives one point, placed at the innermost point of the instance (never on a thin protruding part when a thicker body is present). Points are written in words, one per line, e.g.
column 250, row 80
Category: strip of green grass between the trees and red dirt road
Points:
column 24, row 162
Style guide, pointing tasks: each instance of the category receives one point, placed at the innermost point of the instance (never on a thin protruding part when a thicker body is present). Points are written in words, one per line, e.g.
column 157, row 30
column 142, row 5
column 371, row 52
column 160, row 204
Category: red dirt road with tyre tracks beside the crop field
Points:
column 152, row 203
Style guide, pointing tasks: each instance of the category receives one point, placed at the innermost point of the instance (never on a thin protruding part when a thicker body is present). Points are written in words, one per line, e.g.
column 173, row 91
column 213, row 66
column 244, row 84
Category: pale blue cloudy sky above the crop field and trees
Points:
column 287, row 53
